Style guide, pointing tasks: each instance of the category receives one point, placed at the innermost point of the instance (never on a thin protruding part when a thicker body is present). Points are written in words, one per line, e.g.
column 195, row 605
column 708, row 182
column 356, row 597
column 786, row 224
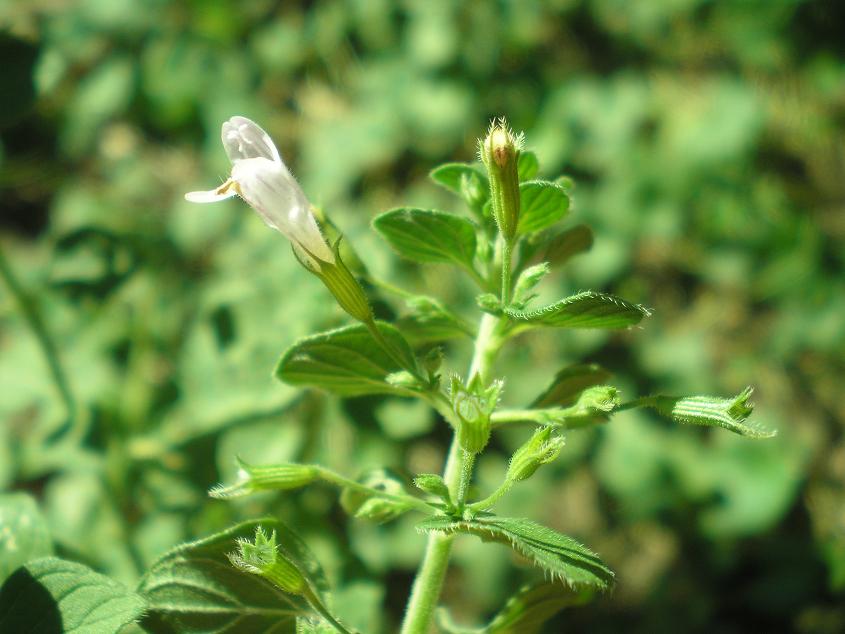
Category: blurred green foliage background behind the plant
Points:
column 138, row 332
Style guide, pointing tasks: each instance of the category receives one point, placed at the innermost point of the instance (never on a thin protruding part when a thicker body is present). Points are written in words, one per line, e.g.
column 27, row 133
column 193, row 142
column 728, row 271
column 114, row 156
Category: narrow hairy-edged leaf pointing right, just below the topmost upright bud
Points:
column 584, row 310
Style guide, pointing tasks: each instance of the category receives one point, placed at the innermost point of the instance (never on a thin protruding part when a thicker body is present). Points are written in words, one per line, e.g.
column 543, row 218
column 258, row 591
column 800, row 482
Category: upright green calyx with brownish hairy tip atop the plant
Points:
column 499, row 151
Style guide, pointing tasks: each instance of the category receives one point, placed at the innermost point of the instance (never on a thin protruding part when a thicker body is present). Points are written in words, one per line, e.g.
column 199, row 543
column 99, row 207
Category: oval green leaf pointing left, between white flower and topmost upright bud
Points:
column 428, row 236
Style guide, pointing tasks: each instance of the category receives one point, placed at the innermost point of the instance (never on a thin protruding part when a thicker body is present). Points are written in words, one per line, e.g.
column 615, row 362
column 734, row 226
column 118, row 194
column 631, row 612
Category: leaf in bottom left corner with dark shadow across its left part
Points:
column 53, row 595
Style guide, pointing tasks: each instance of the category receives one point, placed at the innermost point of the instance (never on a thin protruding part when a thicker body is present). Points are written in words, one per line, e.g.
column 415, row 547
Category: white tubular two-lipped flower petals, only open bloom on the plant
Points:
column 261, row 178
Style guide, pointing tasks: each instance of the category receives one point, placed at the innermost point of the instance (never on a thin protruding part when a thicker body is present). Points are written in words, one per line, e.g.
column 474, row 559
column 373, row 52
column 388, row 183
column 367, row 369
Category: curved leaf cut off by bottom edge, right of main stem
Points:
column 526, row 611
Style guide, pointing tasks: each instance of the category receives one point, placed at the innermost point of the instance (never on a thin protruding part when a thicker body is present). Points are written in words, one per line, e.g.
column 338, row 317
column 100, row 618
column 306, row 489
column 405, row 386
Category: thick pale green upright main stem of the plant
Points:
column 429, row 580
